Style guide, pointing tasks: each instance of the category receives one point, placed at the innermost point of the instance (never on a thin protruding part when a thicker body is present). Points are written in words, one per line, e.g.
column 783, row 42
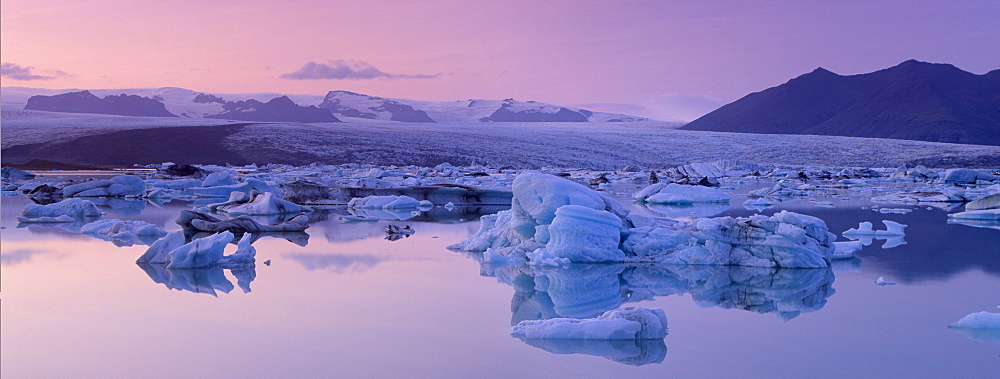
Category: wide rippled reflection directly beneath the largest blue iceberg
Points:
column 587, row 290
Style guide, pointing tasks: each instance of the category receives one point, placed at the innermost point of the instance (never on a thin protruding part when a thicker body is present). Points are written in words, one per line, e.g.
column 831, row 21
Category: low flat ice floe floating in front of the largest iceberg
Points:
column 629, row 323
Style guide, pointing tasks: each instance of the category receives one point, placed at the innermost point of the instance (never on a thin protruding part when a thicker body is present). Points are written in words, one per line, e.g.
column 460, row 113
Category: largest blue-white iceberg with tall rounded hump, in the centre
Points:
column 785, row 239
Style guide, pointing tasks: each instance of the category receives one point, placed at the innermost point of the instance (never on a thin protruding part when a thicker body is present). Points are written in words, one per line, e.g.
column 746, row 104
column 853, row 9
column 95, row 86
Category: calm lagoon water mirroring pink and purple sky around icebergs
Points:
column 344, row 301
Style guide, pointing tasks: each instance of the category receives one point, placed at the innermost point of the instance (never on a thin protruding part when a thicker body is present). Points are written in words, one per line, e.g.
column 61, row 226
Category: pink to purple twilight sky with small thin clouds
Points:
column 661, row 59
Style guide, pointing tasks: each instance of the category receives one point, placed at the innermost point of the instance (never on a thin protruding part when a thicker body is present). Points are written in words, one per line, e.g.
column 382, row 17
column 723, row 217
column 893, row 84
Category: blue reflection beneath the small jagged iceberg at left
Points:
column 203, row 280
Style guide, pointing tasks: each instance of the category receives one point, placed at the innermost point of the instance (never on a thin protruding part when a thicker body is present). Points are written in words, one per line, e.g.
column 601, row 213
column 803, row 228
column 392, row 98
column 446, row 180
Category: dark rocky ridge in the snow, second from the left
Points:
column 279, row 109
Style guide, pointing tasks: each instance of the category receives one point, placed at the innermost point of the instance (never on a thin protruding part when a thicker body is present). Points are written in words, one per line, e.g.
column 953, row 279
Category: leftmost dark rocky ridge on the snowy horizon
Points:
column 86, row 102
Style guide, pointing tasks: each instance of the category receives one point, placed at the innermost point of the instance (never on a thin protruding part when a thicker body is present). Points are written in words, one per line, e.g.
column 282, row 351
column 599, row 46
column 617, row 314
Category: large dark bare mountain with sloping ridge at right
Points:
column 913, row 101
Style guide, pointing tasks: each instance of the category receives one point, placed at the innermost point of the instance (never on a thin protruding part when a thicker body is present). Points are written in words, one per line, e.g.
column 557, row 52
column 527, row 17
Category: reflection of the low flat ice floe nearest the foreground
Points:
column 631, row 352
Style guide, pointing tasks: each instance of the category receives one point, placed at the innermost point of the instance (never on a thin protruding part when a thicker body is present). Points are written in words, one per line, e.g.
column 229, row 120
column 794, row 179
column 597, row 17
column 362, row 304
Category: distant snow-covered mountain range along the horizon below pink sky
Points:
column 344, row 104
